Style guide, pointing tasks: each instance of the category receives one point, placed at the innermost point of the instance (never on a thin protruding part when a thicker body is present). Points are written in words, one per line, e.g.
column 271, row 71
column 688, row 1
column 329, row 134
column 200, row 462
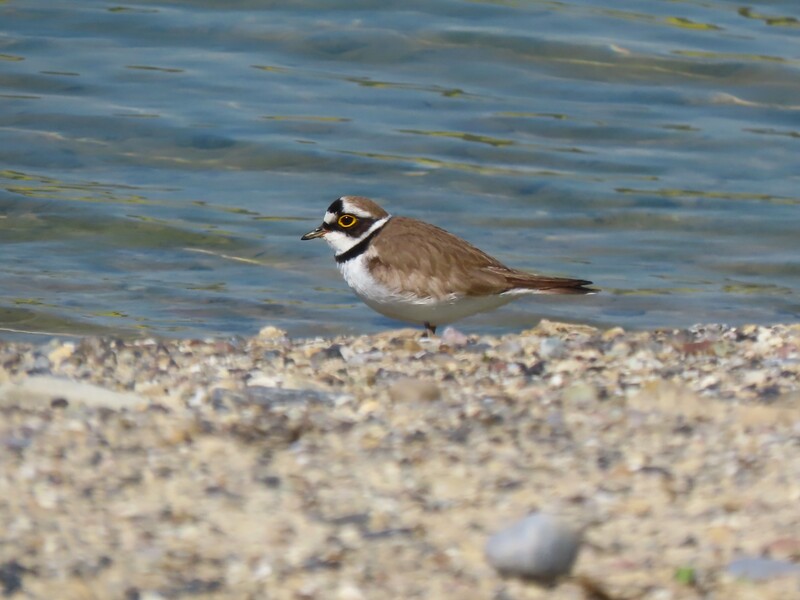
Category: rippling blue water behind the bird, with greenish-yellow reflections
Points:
column 160, row 160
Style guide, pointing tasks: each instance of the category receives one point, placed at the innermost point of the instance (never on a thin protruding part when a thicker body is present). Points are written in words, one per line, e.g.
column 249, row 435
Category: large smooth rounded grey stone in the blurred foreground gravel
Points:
column 540, row 546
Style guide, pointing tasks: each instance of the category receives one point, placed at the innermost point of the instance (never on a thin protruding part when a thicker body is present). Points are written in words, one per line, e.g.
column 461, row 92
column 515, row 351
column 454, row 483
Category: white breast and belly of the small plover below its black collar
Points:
column 414, row 309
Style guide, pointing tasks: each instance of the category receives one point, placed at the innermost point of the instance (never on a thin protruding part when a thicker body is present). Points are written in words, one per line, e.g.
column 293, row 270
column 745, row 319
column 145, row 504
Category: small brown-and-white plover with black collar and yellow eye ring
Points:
column 412, row 271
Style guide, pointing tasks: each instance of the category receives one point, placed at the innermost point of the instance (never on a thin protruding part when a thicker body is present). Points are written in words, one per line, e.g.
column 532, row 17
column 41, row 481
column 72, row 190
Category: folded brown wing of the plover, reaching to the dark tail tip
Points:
column 433, row 262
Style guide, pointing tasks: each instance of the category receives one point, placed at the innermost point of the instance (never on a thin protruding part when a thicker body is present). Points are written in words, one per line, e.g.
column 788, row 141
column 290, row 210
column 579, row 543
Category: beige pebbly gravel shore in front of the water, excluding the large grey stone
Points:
column 377, row 467
